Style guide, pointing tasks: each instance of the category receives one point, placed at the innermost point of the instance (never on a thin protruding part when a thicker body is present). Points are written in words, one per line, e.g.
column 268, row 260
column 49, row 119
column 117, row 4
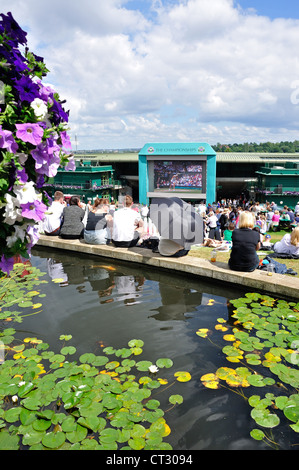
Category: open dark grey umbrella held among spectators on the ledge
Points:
column 176, row 220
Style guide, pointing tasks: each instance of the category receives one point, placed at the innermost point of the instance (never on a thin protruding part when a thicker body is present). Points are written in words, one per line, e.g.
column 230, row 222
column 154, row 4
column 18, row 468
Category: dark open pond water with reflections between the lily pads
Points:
column 105, row 304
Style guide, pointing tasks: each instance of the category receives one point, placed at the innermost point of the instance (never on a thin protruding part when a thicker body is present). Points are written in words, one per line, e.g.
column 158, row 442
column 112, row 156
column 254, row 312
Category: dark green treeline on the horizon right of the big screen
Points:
column 266, row 147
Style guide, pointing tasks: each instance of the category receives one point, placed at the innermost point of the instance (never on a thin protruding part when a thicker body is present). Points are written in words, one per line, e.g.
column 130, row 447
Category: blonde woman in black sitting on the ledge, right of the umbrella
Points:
column 245, row 243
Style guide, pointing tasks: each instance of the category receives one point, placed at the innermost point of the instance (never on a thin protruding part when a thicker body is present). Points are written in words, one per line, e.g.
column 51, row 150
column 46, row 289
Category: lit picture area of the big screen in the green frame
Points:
column 178, row 176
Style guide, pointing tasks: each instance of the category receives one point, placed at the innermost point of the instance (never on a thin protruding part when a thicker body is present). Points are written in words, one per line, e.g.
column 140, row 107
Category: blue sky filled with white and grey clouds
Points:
column 134, row 72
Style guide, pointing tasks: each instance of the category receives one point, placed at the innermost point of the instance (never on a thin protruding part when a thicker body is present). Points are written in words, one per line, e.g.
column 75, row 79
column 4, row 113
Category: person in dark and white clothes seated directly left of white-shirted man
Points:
column 99, row 224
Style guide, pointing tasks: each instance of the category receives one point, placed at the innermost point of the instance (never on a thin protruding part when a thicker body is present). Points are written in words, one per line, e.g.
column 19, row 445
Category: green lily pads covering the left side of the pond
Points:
column 49, row 402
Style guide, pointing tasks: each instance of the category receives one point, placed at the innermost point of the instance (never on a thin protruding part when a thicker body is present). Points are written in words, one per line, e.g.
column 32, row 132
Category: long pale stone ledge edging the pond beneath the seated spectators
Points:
column 278, row 284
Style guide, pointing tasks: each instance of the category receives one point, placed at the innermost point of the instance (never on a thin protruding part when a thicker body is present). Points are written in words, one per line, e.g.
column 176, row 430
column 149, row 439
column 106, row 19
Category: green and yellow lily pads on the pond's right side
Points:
column 266, row 344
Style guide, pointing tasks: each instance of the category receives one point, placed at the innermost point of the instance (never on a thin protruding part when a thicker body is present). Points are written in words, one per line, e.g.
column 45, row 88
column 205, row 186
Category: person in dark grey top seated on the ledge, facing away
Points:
column 73, row 227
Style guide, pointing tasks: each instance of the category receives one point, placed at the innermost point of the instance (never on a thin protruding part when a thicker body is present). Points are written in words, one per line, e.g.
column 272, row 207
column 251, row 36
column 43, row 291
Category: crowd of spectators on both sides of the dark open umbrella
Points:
column 241, row 229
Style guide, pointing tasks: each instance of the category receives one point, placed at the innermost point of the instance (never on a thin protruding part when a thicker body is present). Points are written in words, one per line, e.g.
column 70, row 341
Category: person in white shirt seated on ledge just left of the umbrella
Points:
column 127, row 225
